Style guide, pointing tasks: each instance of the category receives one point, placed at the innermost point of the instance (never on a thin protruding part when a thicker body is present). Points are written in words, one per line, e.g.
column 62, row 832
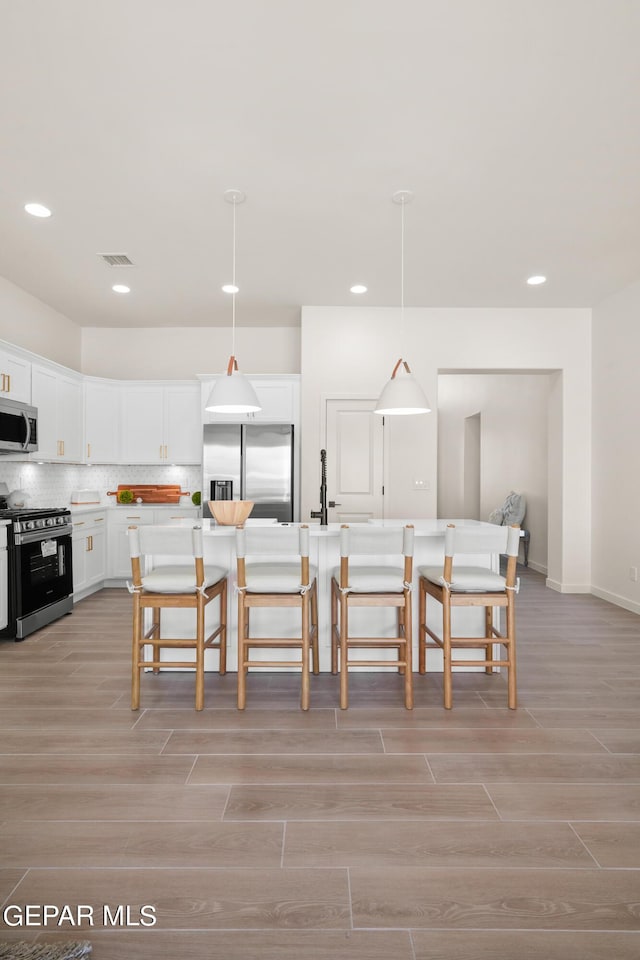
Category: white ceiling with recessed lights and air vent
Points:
column 515, row 123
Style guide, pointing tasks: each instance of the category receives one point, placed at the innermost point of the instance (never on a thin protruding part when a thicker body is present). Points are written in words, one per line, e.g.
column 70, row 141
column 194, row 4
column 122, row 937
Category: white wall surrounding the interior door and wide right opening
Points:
column 351, row 350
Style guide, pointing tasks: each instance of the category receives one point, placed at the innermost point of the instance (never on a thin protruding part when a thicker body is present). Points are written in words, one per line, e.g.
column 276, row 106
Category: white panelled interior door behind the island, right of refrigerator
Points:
column 355, row 460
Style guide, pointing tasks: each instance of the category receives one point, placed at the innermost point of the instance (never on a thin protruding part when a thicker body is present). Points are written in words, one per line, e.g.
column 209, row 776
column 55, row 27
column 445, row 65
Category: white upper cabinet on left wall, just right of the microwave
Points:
column 58, row 397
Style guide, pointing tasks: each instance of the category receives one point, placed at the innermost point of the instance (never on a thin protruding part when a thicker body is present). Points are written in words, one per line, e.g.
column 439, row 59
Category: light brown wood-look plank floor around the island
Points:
column 371, row 834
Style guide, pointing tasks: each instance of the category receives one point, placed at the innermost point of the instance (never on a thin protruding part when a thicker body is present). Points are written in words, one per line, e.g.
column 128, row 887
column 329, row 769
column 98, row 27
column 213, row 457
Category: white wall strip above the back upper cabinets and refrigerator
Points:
column 179, row 353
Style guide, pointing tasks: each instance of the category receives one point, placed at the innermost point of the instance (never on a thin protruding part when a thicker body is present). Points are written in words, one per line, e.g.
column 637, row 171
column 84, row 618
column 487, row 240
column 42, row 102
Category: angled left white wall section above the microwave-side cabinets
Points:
column 30, row 323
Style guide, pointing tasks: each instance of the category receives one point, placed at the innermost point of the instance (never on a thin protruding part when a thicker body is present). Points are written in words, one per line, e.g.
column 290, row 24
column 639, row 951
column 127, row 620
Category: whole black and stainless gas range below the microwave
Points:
column 40, row 569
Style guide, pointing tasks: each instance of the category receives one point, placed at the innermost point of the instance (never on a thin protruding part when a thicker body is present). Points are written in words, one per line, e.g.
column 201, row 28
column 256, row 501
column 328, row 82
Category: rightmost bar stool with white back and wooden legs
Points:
column 472, row 586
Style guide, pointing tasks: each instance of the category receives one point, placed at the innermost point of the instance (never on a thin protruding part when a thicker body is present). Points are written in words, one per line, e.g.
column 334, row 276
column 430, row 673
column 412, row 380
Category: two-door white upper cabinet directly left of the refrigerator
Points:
column 161, row 423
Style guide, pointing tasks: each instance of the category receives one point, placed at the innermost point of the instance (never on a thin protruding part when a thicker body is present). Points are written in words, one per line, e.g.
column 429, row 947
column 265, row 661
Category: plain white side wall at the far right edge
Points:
column 616, row 447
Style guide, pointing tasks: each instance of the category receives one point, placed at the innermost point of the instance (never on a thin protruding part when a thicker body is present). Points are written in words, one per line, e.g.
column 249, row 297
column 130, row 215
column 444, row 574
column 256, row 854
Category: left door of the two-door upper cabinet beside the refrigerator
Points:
column 143, row 424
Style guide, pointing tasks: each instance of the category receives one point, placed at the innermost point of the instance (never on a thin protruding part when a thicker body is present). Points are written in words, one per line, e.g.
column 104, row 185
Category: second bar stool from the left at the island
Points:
column 282, row 577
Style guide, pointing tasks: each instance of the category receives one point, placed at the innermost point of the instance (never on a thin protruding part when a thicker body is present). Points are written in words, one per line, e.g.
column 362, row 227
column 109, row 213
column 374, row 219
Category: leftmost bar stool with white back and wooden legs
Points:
column 176, row 586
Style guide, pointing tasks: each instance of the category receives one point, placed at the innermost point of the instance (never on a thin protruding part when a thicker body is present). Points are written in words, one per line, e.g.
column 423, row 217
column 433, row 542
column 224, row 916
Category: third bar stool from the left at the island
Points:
column 372, row 585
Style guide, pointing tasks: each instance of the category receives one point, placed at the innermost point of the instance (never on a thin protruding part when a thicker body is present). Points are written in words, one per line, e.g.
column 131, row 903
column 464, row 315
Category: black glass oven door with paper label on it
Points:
column 43, row 570
